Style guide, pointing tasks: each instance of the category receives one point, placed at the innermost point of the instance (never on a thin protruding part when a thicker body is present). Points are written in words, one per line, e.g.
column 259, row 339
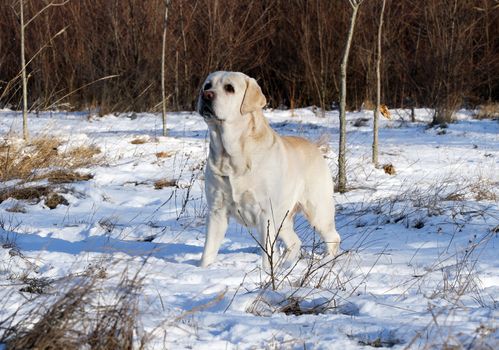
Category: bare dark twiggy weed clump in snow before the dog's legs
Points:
column 314, row 284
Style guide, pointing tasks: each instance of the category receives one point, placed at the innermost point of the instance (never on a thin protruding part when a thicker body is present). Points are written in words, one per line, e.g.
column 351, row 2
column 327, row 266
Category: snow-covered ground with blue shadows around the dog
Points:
column 419, row 264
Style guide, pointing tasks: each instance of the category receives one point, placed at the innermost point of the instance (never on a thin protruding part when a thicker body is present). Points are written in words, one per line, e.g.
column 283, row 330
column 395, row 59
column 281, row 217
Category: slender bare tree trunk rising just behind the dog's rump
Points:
column 342, row 181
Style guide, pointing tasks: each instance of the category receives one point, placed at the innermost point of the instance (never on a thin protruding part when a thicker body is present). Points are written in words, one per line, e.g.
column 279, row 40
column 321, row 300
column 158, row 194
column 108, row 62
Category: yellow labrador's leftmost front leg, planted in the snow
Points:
column 217, row 225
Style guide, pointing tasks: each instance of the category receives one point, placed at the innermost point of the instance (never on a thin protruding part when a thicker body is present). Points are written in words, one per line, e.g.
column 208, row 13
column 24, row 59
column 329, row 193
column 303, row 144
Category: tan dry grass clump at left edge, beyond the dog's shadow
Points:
column 24, row 161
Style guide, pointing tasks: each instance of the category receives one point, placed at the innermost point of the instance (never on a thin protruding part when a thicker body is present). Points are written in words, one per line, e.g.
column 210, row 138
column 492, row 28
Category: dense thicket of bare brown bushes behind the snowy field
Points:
column 437, row 53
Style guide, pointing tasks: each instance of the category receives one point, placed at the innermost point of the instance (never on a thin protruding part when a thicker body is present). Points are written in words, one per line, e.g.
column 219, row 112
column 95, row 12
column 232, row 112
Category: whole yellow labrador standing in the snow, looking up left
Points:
column 257, row 176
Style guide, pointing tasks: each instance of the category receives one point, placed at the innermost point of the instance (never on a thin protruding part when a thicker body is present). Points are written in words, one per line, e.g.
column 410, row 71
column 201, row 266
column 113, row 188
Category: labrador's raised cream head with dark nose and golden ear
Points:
column 228, row 96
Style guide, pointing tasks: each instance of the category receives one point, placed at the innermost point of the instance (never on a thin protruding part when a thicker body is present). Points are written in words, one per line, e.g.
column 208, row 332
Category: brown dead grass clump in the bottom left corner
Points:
column 79, row 318
